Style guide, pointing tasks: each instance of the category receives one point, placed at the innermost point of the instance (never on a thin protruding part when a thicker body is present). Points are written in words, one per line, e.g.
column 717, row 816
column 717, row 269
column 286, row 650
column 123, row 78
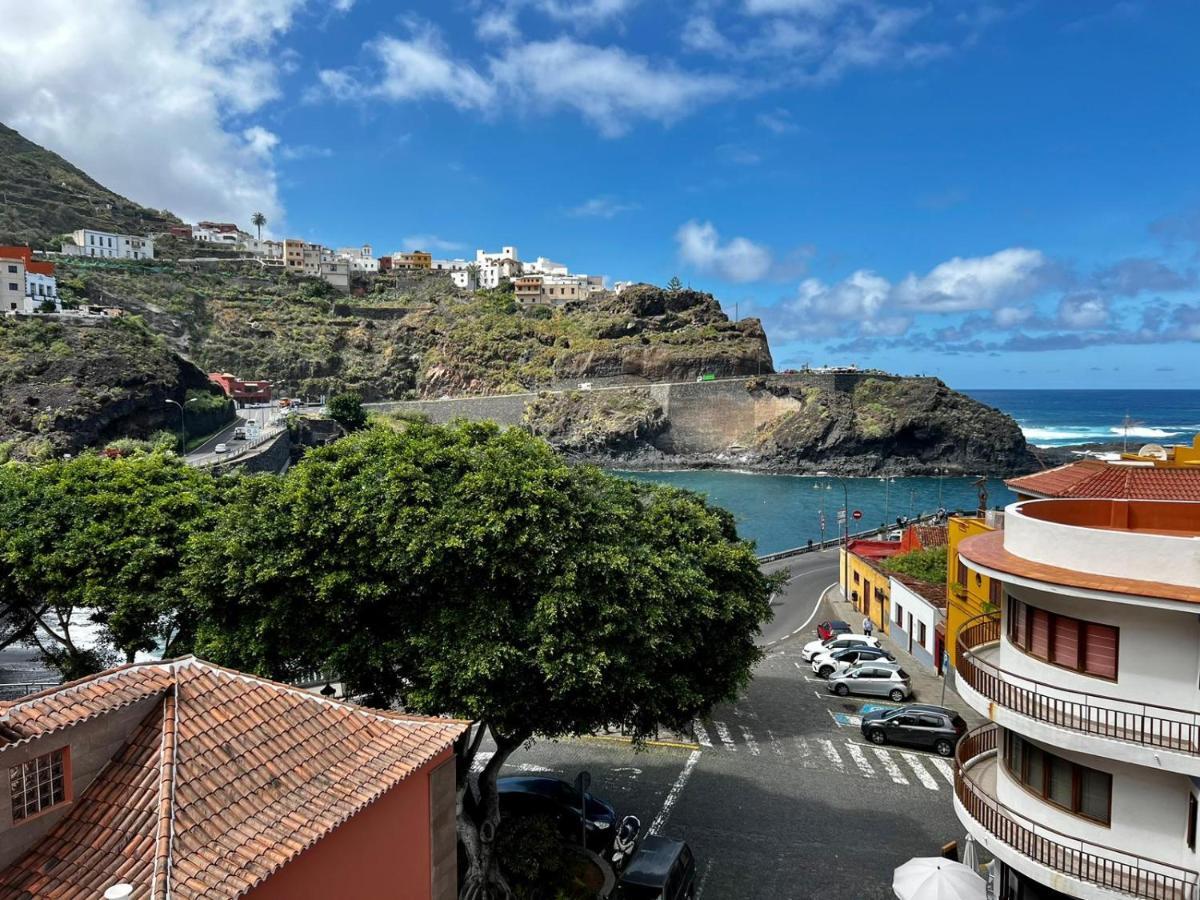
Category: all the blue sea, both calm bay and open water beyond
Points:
column 784, row 512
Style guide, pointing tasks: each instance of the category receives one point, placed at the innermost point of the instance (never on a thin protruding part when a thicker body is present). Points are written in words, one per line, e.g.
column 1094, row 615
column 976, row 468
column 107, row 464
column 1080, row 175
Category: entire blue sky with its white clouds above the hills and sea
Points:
column 1000, row 194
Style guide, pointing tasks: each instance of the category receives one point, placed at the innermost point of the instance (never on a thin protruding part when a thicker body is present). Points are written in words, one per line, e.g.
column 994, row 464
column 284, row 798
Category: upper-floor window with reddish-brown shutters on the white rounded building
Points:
column 1065, row 641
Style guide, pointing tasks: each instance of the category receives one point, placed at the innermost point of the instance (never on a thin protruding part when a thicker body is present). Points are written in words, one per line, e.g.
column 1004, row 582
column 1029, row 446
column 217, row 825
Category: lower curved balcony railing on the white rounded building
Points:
column 1095, row 863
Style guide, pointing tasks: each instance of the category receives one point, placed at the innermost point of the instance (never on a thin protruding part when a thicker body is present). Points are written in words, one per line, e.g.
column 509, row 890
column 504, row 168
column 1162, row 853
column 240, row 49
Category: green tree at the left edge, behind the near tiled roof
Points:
column 97, row 543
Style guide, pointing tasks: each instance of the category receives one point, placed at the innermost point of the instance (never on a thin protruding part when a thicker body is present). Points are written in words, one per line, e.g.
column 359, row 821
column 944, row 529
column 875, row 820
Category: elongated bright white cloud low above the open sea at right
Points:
column 975, row 284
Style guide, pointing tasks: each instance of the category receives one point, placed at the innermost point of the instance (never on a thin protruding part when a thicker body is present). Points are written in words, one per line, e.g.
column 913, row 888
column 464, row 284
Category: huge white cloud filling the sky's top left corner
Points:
column 142, row 97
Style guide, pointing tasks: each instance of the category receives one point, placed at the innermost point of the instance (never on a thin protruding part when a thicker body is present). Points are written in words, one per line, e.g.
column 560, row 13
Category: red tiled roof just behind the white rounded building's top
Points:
column 1099, row 479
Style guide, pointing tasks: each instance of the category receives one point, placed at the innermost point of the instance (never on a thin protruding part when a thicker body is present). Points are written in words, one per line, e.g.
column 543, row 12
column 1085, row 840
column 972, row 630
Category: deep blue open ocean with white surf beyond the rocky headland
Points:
column 1059, row 418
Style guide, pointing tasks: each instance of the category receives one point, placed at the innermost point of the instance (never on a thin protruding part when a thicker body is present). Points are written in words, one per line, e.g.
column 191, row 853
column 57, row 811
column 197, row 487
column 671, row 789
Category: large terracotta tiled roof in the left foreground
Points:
column 227, row 779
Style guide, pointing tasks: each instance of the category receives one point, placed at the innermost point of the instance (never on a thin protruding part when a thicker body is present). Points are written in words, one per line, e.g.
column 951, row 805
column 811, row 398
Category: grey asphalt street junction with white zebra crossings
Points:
column 781, row 796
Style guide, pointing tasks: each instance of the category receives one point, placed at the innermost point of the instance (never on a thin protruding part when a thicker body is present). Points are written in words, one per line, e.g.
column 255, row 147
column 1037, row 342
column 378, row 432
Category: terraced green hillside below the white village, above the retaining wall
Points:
column 419, row 337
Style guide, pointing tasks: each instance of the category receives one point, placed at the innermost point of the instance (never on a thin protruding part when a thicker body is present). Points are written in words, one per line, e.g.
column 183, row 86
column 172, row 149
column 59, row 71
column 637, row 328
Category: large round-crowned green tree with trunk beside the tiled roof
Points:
column 469, row 571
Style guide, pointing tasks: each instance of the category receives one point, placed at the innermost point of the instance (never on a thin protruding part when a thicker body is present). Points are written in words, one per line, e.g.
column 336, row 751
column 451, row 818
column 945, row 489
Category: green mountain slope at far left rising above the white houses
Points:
column 43, row 197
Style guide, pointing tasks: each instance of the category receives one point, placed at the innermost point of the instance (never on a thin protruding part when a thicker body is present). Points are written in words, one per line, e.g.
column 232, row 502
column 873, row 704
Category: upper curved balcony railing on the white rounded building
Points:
column 1099, row 715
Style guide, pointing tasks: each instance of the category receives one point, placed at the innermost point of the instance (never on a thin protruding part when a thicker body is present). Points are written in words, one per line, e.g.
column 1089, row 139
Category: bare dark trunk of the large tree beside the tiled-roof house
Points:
column 479, row 821
